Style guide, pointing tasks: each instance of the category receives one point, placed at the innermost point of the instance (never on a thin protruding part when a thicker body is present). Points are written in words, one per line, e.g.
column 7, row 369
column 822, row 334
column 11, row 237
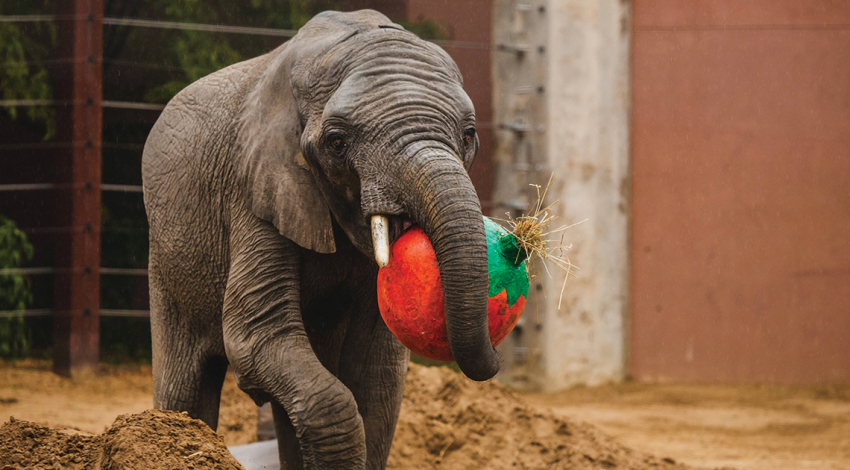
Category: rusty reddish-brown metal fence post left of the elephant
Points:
column 77, row 289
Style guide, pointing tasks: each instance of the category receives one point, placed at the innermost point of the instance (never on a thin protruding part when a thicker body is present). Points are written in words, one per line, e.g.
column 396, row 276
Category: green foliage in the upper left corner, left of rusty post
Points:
column 23, row 75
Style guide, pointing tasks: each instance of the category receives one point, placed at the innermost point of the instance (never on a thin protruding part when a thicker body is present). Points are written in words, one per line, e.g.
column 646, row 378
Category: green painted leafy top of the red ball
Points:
column 501, row 256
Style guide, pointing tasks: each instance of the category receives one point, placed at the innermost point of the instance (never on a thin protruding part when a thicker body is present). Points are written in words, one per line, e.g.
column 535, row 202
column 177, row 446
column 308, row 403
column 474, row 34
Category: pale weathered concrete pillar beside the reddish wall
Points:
column 586, row 145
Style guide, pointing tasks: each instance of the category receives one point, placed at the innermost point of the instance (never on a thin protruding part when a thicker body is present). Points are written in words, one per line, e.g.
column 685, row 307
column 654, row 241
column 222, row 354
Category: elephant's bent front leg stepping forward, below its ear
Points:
column 271, row 355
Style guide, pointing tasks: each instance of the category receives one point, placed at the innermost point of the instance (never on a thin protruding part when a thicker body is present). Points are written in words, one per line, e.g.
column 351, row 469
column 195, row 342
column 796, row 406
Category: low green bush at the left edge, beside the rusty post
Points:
column 14, row 289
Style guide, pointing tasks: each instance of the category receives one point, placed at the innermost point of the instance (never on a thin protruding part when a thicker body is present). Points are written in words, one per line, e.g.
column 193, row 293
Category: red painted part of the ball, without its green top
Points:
column 410, row 298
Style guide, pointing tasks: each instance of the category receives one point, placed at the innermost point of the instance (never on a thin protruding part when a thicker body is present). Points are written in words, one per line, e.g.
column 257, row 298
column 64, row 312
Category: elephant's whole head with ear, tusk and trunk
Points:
column 358, row 121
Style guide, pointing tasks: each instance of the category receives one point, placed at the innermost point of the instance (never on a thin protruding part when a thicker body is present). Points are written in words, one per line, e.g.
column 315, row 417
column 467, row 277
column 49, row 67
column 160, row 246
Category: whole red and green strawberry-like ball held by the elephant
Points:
column 410, row 293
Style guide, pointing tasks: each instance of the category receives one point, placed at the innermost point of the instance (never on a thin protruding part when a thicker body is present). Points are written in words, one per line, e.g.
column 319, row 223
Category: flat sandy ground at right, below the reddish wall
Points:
column 746, row 427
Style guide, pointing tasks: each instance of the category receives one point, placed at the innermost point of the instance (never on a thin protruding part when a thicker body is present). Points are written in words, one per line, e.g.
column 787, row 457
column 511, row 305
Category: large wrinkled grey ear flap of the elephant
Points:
column 277, row 179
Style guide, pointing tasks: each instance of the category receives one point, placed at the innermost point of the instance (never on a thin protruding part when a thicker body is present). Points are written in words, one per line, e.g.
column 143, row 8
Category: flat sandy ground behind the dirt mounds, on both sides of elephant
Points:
column 745, row 427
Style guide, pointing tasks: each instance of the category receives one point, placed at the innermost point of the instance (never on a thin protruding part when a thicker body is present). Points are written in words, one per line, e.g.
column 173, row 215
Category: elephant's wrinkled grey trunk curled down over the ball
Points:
column 443, row 201
